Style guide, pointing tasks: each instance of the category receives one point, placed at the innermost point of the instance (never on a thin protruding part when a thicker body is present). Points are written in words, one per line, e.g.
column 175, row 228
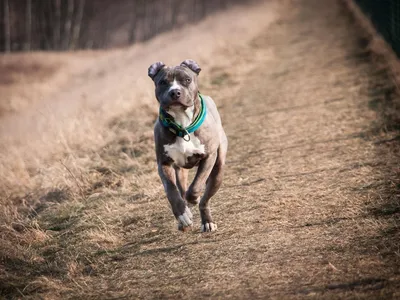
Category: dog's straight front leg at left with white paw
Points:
column 181, row 212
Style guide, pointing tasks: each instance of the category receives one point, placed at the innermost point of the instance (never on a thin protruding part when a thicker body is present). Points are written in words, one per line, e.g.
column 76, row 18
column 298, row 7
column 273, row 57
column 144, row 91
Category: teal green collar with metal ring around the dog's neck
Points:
column 168, row 122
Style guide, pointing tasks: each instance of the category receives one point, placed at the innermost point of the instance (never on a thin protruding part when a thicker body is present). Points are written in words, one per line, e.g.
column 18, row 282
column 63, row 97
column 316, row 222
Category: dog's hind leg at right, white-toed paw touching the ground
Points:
column 213, row 184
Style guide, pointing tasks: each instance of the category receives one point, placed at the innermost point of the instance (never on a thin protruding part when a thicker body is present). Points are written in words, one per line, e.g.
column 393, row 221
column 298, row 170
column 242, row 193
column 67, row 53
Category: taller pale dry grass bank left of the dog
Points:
column 64, row 150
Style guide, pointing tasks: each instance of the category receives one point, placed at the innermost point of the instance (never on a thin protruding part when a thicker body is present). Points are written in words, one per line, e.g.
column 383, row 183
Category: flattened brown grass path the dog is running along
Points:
column 305, row 173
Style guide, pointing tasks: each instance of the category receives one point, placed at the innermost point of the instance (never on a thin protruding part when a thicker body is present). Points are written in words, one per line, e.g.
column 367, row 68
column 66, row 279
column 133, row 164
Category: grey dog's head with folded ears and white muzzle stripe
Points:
column 175, row 86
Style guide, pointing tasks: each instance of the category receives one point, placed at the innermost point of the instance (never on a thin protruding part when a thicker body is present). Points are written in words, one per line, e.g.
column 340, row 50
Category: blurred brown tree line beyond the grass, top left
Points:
column 83, row 24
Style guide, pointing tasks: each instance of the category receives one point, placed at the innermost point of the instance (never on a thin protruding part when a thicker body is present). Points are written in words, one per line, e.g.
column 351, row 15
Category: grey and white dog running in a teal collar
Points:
column 188, row 133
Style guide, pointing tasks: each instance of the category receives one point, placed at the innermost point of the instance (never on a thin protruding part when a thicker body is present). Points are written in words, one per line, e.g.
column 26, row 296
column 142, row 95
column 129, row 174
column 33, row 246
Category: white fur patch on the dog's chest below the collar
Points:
column 182, row 152
